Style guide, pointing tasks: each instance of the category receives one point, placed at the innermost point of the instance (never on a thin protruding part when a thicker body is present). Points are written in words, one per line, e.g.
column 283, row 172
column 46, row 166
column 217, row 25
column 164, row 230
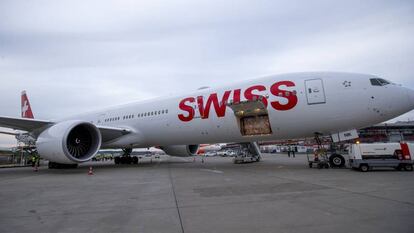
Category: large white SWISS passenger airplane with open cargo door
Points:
column 286, row 106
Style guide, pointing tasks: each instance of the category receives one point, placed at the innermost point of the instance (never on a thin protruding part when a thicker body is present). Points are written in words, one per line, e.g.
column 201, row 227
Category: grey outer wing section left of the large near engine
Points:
column 23, row 123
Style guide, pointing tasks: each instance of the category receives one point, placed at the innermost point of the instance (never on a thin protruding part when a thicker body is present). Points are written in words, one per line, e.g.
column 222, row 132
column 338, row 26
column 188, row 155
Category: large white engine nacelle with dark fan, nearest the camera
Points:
column 69, row 142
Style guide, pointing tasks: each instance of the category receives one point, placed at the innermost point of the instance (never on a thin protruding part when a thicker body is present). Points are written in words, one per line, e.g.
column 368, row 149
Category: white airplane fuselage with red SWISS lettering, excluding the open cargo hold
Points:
column 298, row 105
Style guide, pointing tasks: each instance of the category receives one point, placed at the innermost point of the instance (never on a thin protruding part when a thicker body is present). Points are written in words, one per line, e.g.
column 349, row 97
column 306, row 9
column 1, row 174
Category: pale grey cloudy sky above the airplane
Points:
column 79, row 55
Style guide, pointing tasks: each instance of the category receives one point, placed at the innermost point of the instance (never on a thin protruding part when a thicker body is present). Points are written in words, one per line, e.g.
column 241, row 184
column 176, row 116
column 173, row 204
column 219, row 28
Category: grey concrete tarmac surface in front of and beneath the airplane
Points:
column 279, row 194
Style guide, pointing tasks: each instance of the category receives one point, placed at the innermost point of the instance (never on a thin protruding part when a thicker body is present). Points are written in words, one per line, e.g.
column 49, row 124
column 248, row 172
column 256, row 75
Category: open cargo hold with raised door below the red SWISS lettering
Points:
column 252, row 118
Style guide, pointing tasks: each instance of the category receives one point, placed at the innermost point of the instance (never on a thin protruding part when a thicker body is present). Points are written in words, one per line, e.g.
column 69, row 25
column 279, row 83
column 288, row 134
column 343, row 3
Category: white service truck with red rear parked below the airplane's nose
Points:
column 367, row 156
